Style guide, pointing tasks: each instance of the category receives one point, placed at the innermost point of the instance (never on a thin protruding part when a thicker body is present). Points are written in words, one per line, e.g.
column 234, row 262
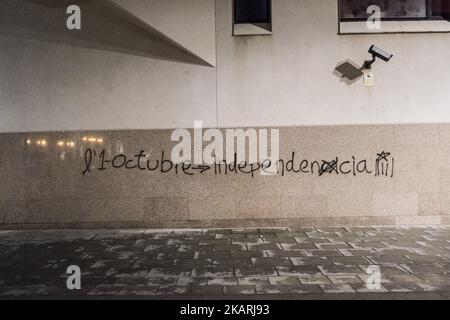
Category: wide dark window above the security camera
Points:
column 356, row 10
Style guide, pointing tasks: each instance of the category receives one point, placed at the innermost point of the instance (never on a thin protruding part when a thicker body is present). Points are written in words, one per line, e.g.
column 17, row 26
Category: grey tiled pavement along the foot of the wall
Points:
column 227, row 263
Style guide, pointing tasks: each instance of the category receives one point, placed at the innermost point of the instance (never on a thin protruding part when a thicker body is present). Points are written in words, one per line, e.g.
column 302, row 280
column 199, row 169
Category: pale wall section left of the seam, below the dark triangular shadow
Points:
column 48, row 86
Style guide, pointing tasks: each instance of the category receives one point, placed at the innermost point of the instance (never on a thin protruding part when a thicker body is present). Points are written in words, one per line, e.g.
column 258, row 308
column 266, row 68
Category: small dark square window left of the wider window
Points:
column 252, row 11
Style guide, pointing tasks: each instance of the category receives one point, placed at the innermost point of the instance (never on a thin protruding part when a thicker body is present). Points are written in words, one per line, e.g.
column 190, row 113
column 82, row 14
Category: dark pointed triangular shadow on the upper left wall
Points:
column 105, row 26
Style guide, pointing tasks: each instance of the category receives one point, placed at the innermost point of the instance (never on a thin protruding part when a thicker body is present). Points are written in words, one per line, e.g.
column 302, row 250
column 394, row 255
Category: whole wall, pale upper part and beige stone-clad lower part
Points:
column 64, row 93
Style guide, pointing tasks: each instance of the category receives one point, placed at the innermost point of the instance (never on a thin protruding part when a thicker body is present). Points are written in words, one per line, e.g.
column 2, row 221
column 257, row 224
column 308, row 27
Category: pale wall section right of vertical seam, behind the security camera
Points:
column 287, row 79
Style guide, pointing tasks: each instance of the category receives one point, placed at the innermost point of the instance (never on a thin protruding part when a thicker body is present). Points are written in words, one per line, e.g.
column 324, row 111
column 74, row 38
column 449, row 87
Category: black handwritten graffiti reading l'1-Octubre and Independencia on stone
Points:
column 98, row 161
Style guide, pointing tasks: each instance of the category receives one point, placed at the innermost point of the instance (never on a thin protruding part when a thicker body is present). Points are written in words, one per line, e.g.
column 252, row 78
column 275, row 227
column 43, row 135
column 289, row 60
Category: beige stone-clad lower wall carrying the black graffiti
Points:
column 57, row 180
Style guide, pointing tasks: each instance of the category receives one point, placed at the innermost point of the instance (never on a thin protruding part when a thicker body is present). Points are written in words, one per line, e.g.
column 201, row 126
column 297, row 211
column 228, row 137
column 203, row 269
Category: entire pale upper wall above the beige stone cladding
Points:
column 281, row 80
